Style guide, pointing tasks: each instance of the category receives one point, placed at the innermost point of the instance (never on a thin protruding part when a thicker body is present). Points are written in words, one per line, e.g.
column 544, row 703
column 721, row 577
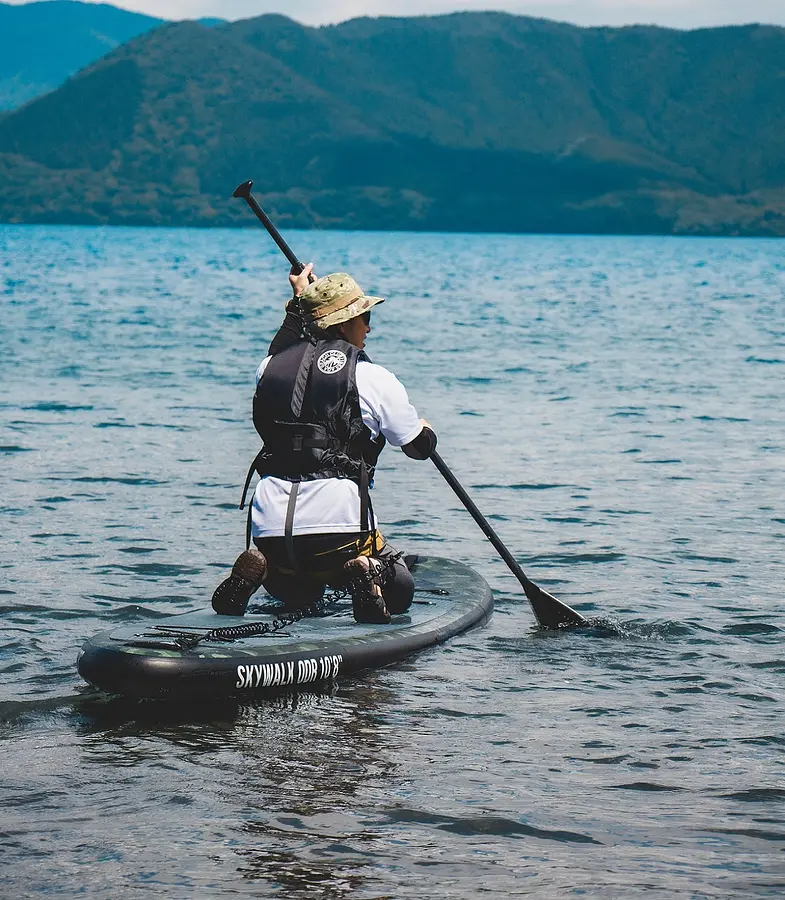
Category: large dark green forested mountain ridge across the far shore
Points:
column 472, row 121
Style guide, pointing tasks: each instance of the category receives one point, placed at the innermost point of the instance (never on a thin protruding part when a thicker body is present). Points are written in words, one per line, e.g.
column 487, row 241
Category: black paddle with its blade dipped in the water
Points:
column 549, row 612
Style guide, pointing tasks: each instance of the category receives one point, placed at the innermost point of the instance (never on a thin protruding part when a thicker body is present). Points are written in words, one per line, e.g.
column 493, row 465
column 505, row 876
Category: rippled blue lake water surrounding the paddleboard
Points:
column 615, row 405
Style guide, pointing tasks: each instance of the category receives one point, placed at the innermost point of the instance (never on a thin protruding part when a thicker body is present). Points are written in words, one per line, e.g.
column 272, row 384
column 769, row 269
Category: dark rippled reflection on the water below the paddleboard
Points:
column 292, row 767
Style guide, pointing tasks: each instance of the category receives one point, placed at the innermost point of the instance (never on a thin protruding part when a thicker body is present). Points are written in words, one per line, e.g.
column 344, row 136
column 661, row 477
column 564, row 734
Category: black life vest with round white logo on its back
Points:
column 307, row 411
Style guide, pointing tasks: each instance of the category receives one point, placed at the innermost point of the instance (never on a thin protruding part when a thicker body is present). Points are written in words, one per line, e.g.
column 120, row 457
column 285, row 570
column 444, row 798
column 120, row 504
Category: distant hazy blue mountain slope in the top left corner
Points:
column 42, row 44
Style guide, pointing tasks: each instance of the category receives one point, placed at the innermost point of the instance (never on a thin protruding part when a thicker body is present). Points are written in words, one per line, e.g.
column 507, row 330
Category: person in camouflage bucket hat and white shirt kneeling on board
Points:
column 324, row 412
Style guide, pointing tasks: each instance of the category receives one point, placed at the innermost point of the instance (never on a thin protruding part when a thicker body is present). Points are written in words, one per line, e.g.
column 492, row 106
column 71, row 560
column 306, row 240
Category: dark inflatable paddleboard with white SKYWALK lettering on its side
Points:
column 202, row 656
